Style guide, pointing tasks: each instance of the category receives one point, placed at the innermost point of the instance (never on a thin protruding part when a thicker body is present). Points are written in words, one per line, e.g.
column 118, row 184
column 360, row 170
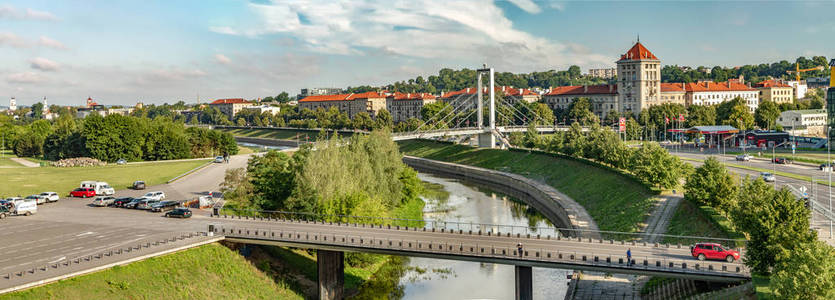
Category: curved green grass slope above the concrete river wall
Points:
column 616, row 202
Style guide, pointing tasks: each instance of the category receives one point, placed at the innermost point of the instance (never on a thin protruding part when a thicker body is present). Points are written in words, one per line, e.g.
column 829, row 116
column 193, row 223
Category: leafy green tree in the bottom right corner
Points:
column 809, row 273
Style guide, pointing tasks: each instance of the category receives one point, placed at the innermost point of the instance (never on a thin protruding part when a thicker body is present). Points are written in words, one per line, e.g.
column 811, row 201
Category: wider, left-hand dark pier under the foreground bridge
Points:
column 331, row 274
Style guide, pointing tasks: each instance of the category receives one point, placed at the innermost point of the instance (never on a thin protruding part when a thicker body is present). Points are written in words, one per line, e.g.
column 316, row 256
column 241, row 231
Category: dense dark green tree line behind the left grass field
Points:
column 115, row 137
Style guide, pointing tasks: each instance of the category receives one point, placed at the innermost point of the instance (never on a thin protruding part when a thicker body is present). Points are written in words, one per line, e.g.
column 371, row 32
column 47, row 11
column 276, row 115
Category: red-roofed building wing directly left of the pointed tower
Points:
column 602, row 98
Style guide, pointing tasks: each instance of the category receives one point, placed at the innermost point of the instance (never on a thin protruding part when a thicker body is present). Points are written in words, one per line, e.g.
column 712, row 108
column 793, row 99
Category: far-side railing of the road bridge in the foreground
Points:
column 485, row 228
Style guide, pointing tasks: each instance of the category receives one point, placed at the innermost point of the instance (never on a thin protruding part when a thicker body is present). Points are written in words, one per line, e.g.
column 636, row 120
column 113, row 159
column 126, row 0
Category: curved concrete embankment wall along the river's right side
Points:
column 561, row 211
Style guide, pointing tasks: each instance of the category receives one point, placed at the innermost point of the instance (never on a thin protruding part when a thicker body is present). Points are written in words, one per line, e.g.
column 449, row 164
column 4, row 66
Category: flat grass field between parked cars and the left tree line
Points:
column 27, row 181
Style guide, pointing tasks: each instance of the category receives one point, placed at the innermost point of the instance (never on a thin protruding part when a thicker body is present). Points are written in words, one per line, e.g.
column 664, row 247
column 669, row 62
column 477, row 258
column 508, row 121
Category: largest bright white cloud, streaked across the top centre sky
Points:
column 472, row 32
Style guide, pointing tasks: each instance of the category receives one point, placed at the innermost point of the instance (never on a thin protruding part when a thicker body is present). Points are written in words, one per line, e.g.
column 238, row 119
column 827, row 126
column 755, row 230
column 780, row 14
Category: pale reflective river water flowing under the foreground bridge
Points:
column 452, row 200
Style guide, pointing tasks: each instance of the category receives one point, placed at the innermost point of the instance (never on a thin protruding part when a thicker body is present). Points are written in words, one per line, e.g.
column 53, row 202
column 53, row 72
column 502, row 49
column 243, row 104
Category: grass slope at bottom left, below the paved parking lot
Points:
column 207, row 272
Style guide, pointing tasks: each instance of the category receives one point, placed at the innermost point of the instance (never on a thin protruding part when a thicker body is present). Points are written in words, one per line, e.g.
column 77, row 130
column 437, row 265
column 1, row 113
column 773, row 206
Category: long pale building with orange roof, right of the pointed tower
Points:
column 711, row 93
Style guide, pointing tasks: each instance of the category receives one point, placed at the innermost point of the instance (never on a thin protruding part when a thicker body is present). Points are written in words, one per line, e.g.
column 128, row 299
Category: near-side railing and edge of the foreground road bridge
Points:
column 590, row 257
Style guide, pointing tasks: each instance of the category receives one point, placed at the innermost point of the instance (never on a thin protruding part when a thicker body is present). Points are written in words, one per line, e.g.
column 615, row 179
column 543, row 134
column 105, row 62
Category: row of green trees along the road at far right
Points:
column 781, row 243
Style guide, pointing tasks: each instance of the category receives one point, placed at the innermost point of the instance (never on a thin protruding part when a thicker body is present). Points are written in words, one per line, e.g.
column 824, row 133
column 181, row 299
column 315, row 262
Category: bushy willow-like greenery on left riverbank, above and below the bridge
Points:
column 362, row 175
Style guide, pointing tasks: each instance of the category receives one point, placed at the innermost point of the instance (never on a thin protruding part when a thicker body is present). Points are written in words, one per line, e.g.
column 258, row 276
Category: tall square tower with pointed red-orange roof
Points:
column 639, row 79
